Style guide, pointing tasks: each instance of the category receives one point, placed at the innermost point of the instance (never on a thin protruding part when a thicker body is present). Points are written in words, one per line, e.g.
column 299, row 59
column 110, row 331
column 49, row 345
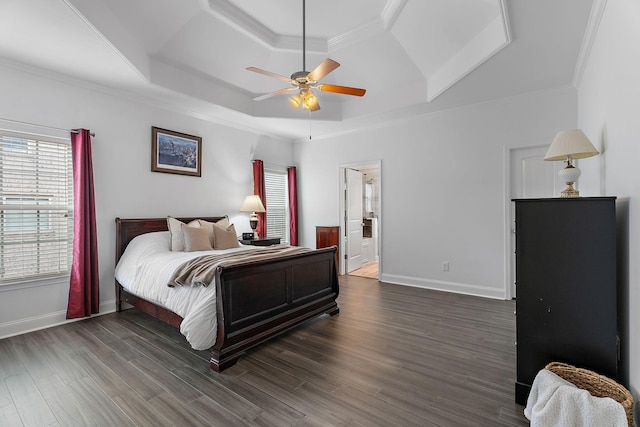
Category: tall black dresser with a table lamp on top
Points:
column 566, row 286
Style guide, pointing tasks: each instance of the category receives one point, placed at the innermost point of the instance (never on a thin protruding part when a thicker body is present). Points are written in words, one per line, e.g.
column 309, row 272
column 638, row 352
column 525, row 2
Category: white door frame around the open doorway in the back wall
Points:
column 342, row 188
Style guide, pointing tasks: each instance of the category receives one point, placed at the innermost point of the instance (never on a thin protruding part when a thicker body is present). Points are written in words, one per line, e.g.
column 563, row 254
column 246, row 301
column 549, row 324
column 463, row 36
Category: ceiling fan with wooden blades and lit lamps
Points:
column 305, row 81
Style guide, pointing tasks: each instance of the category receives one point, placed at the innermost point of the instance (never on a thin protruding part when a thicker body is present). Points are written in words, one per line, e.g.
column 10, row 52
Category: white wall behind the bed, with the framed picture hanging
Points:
column 124, row 183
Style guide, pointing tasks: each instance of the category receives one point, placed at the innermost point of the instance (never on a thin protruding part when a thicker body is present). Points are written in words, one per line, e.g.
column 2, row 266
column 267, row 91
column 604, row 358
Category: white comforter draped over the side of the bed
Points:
column 146, row 267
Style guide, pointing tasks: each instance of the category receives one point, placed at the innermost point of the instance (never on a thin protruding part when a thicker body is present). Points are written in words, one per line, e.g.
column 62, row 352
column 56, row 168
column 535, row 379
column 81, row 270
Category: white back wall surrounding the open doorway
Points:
column 442, row 187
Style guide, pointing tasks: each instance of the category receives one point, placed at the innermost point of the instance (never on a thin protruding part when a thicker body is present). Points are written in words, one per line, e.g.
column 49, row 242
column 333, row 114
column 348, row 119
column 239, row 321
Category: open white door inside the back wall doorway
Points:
column 353, row 203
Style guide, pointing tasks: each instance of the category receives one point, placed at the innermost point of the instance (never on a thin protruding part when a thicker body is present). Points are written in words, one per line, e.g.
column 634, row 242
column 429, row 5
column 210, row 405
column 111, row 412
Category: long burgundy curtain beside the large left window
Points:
column 84, row 286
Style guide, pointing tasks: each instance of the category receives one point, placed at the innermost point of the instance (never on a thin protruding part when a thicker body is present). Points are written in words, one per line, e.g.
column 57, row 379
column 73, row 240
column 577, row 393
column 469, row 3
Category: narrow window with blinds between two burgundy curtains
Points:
column 277, row 204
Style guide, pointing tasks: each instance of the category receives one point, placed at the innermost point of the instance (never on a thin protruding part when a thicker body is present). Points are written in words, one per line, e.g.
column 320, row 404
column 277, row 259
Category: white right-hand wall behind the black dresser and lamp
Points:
column 609, row 111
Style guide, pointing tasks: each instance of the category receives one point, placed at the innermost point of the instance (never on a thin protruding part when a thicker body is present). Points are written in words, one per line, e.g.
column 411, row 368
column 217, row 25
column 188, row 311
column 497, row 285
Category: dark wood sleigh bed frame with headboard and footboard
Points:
column 292, row 289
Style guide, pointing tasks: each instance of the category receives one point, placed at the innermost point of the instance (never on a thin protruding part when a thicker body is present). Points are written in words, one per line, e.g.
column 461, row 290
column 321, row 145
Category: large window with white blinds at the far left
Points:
column 36, row 208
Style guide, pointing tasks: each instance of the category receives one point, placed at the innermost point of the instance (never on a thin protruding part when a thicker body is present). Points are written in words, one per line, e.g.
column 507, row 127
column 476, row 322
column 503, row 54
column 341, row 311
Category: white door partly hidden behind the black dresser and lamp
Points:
column 531, row 177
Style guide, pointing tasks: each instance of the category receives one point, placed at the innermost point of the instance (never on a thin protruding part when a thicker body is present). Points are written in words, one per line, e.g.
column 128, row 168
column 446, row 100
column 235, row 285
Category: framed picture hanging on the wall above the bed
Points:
column 175, row 152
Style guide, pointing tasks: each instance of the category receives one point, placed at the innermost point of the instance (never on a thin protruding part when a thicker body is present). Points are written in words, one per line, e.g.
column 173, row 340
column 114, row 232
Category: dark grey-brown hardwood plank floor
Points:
column 394, row 356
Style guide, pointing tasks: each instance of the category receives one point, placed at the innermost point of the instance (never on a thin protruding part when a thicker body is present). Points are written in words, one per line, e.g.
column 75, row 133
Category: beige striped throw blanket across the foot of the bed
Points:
column 201, row 271
